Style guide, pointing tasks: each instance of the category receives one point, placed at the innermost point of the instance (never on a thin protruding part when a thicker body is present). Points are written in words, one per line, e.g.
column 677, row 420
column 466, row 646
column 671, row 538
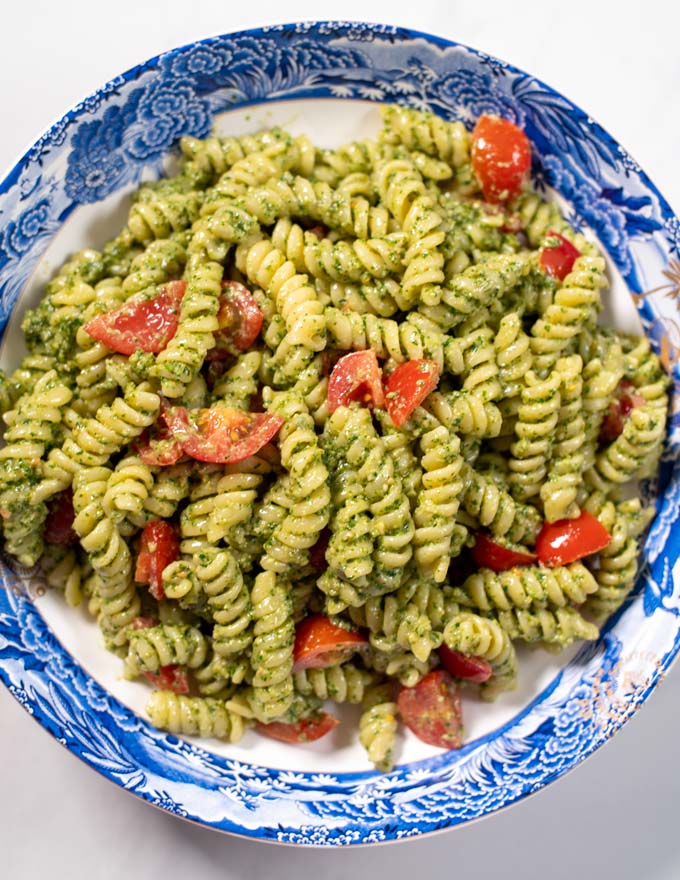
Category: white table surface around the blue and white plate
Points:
column 614, row 817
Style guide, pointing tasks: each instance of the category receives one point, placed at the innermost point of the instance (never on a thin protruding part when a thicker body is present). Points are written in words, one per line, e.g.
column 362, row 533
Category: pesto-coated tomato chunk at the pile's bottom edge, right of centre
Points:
column 432, row 710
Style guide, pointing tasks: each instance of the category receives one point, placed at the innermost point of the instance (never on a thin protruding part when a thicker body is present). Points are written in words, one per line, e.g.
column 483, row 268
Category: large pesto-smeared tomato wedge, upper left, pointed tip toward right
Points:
column 146, row 324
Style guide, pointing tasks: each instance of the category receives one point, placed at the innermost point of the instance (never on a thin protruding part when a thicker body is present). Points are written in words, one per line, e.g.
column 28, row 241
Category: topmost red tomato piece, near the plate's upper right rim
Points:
column 501, row 158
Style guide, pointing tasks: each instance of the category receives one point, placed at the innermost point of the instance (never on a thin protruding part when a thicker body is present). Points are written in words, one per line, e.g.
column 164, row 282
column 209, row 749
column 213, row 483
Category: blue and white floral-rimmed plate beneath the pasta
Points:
column 72, row 189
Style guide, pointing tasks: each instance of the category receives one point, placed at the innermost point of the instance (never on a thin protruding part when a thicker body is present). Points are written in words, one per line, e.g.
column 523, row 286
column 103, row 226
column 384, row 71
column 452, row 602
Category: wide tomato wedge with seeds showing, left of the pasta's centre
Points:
column 221, row 433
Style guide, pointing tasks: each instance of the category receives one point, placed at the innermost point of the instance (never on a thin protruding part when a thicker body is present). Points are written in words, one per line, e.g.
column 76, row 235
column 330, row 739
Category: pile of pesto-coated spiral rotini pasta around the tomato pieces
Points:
column 384, row 244
